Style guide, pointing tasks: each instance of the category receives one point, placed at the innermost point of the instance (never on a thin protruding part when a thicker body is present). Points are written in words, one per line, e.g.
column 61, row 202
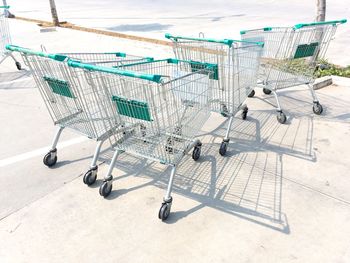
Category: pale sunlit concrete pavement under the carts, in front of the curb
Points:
column 281, row 194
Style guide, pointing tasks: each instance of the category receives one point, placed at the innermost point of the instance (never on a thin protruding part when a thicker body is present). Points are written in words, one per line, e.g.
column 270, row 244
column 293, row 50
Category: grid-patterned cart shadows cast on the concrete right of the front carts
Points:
column 246, row 183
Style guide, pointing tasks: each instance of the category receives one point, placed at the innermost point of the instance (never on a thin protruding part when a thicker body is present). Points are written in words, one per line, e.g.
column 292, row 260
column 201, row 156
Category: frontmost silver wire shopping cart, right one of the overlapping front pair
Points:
column 164, row 105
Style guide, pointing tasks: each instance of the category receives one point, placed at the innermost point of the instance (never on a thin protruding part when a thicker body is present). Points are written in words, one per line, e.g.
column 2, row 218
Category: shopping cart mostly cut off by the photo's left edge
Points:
column 5, row 37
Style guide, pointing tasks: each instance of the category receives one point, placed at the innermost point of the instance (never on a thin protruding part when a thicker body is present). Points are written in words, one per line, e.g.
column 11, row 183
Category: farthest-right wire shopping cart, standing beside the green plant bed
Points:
column 291, row 56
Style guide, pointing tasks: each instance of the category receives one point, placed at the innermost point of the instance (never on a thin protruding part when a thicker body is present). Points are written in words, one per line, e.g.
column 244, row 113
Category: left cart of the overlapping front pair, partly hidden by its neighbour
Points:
column 72, row 103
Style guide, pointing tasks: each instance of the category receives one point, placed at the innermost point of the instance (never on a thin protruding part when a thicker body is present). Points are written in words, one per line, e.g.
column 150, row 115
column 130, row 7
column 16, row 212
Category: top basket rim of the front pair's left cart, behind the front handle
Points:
column 109, row 59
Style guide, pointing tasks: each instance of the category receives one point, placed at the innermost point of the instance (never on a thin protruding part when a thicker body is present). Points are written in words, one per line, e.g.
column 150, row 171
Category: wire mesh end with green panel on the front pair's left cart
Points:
column 70, row 99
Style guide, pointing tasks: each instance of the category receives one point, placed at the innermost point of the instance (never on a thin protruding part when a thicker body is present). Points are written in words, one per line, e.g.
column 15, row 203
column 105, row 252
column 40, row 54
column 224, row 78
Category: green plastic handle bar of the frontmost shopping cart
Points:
column 76, row 64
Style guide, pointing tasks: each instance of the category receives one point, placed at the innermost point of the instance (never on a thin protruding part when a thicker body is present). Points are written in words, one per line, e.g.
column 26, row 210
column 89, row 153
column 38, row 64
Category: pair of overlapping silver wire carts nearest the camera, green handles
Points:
column 154, row 112
